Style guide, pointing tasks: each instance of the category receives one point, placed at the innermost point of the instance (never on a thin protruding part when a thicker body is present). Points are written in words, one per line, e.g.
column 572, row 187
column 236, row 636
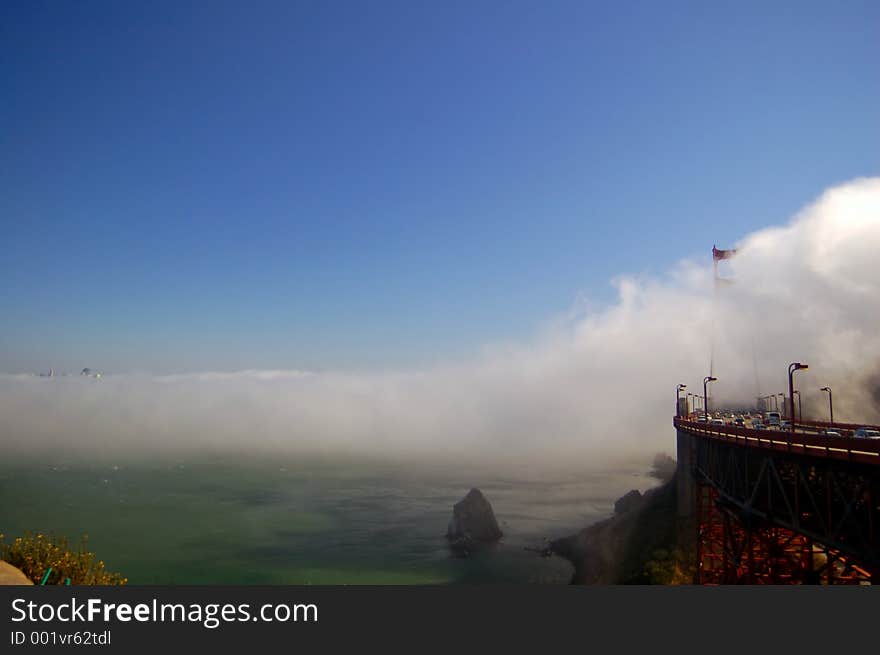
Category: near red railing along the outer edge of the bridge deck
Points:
column 866, row 451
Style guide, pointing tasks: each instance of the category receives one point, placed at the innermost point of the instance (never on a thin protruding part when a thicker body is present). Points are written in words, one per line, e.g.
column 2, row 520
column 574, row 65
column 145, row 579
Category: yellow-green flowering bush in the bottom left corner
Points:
column 36, row 554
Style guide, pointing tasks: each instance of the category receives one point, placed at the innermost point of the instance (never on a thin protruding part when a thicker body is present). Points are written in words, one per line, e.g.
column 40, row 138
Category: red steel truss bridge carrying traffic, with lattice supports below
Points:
column 779, row 507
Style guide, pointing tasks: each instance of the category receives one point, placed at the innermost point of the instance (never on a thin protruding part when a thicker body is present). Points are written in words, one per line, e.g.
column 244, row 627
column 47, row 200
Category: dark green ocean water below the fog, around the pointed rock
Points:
column 296, row 521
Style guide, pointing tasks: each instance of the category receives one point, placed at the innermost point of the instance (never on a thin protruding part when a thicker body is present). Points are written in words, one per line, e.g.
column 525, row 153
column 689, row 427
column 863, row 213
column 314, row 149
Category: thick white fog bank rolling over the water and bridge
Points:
column 603, row 385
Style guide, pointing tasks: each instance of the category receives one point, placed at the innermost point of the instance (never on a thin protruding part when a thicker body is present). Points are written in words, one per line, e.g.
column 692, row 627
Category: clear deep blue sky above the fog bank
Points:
column 218, row 186
